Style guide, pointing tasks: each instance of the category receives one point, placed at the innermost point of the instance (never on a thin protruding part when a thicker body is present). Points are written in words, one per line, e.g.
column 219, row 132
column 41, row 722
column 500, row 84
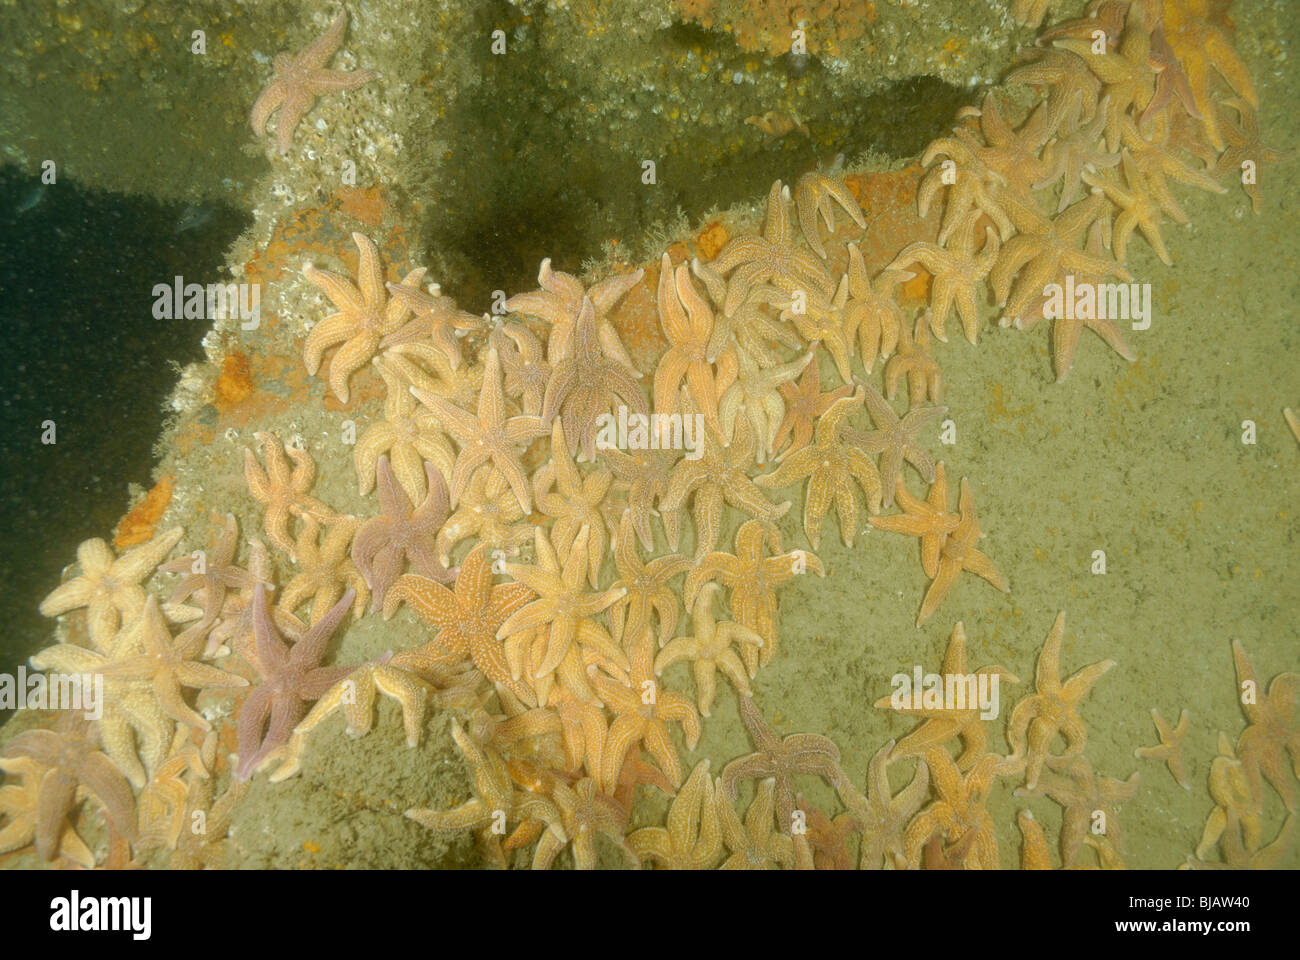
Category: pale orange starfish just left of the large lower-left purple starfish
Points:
column 170, row 665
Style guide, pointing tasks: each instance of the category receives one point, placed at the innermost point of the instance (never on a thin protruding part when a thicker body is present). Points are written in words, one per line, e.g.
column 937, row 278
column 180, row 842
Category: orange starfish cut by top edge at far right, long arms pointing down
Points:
column 1201, row 47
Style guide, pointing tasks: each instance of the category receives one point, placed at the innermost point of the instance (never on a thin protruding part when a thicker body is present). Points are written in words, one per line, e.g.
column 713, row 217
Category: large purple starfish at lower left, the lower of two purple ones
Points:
column 292, row 677
